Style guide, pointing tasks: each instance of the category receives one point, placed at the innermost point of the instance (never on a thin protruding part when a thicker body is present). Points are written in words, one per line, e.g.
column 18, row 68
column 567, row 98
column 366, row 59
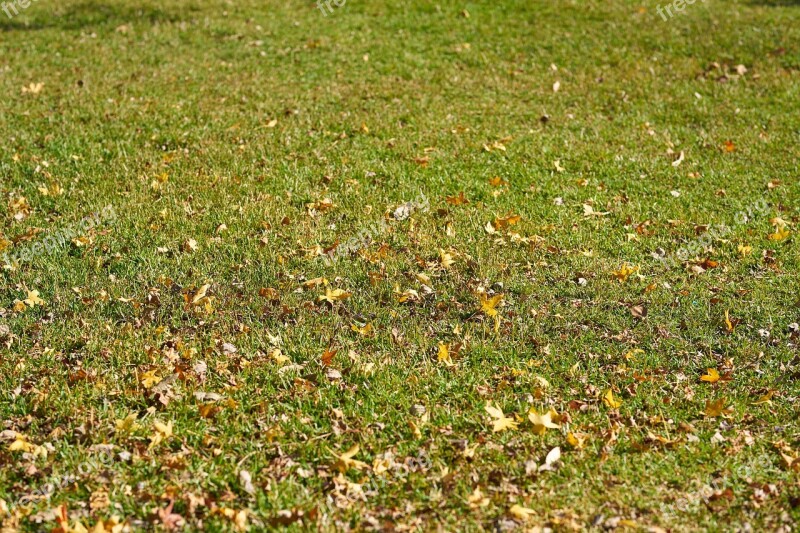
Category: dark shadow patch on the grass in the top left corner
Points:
column 89, row 14
